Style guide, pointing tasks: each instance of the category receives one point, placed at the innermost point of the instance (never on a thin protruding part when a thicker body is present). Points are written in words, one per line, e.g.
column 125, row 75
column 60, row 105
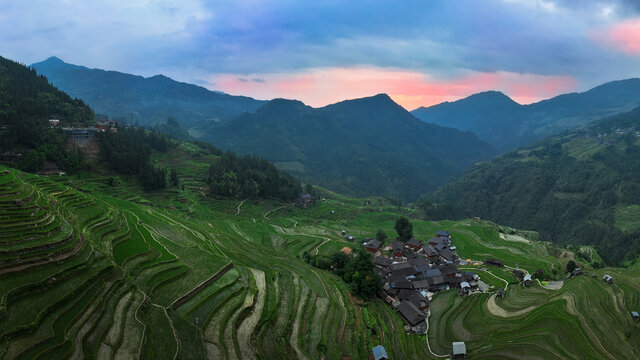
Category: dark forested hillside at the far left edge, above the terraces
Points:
column 27, row 102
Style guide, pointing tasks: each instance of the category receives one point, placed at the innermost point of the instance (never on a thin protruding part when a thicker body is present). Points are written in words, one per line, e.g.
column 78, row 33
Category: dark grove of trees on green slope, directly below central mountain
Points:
column 250, row 177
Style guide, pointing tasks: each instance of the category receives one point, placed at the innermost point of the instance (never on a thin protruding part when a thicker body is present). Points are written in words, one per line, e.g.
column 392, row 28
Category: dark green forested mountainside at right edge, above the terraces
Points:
column 575, row 188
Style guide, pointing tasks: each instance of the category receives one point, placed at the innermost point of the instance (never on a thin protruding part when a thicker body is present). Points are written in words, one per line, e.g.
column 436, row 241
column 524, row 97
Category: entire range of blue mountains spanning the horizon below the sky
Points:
column 356, row 147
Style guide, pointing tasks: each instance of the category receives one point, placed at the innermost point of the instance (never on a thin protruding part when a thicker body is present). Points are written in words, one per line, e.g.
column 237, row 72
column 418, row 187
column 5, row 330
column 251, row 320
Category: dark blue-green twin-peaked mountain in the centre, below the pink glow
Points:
column 358, row 147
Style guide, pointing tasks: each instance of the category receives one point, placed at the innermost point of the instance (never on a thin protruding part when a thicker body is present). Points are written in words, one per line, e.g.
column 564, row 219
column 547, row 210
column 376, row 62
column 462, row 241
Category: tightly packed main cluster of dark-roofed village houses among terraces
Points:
column 414, row 270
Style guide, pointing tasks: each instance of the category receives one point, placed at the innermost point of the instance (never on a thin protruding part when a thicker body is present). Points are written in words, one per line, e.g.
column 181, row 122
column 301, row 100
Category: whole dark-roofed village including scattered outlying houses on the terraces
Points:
column 413, row 272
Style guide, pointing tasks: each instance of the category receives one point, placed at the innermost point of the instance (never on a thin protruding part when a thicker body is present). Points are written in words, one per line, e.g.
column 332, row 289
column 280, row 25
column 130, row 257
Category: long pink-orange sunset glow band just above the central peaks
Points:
column 320, row 87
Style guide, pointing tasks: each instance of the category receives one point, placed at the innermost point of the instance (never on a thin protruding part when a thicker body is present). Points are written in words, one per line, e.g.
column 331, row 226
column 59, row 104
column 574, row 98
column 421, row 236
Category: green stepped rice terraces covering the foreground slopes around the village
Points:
column 93, row 271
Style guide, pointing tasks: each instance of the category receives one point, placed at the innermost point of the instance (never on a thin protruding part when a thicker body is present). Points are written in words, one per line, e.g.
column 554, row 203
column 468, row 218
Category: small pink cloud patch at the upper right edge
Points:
column 624, row 36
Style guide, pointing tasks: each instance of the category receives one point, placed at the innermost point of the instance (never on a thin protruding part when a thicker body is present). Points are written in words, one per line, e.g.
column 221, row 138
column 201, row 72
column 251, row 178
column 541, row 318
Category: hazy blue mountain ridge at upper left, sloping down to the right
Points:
column 148, row 101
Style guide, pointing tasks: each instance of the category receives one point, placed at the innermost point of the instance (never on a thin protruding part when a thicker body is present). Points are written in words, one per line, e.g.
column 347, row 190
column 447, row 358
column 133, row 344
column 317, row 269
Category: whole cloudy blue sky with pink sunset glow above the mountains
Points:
column 421, row 53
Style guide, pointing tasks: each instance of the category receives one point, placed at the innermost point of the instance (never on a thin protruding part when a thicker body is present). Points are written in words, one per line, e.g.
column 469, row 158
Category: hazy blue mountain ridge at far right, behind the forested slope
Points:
column 507, row 125
